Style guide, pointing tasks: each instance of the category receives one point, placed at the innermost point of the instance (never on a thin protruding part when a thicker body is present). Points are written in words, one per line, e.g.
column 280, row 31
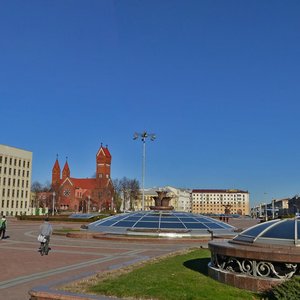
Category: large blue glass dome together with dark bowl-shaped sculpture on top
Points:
column 162, row 221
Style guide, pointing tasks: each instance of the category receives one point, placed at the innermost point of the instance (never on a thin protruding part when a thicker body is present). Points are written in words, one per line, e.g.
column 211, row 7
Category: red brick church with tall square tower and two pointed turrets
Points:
column 84, row 194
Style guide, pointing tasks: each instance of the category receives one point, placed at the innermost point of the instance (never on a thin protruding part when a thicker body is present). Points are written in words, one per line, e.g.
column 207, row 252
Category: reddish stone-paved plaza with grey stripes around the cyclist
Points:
column 24, row 269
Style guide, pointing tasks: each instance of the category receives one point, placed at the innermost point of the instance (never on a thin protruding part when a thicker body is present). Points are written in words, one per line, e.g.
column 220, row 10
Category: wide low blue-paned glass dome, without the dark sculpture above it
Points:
column 161, row 221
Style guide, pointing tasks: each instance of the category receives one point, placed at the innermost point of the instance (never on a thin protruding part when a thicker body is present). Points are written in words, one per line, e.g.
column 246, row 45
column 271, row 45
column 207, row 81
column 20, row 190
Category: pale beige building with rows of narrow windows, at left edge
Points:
column 15, row 180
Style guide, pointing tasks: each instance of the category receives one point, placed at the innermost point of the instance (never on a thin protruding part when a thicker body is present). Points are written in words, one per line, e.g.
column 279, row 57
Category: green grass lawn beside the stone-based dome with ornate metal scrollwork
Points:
column 179, row 277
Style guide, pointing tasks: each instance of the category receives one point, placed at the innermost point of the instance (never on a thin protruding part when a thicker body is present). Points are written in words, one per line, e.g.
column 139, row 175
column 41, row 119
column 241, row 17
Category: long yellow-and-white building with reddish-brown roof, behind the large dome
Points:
column 215, row 201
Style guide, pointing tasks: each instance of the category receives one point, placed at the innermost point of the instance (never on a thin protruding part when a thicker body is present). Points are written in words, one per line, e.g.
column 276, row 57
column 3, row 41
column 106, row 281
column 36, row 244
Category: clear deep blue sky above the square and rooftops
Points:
column 217, row 81
